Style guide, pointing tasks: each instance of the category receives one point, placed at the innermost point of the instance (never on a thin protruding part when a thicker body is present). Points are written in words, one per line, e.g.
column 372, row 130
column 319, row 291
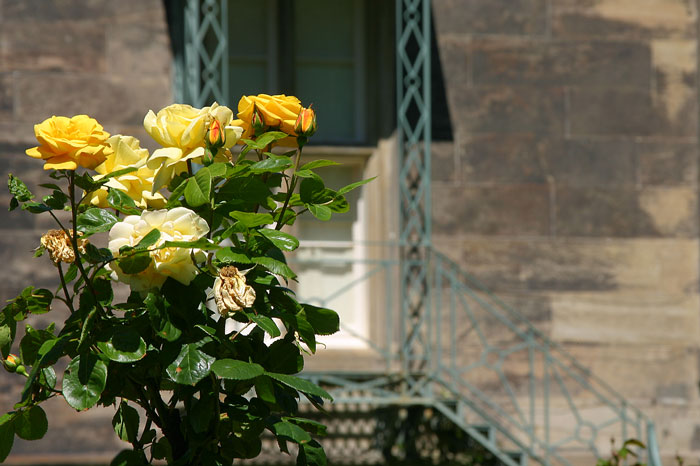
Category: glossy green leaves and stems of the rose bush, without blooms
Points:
column 165, row 339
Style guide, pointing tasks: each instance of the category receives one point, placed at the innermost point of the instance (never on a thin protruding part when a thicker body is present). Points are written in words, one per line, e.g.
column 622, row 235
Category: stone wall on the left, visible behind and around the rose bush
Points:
column 111, row 60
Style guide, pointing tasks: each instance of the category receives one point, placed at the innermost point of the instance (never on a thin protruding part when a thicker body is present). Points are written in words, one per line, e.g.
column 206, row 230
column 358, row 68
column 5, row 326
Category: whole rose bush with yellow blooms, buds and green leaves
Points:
column 195, row 231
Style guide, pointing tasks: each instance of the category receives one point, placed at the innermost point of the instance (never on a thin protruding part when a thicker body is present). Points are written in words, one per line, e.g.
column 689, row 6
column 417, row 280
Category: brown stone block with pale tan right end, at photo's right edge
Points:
column 618, row 212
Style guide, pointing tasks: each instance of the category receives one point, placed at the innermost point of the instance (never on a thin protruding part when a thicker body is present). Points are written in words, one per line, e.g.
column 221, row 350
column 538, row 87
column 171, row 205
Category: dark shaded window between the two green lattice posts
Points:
column 325, row 53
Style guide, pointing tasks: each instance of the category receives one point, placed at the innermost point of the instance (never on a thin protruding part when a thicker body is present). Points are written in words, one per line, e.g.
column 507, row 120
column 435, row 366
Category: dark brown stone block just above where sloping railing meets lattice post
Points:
column 493, row 210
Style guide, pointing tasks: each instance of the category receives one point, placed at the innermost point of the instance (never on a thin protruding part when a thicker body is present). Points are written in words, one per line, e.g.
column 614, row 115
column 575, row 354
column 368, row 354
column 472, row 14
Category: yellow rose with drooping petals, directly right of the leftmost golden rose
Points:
column 138, row 184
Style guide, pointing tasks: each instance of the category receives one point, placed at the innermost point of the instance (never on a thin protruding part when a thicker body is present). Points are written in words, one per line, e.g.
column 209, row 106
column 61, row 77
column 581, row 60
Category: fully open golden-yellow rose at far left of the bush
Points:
column 66, row 143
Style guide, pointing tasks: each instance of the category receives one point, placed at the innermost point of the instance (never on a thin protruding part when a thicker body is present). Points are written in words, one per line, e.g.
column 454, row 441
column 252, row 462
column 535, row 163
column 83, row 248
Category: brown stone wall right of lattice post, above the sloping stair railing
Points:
column 571, row 185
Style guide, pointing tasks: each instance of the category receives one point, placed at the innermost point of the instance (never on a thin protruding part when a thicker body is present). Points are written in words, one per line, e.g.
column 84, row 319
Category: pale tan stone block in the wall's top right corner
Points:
column 623, row 18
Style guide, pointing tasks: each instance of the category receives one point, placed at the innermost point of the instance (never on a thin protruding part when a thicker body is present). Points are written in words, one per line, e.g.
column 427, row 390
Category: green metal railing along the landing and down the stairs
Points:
column 486, row 367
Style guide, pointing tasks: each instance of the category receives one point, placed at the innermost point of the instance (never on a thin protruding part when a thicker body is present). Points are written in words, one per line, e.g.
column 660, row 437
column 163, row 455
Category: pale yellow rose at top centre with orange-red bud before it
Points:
column 181, row 130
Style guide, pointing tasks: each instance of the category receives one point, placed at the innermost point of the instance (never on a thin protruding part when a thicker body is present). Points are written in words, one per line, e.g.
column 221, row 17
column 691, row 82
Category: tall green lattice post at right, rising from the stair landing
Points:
column 413, row 119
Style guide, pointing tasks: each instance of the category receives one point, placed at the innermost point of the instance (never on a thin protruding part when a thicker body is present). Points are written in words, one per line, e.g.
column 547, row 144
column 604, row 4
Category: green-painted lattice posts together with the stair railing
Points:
column 447, row 342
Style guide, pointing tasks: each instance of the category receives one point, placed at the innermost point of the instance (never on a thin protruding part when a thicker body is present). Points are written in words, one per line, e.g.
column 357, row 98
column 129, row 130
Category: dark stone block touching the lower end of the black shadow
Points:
column 505, row 109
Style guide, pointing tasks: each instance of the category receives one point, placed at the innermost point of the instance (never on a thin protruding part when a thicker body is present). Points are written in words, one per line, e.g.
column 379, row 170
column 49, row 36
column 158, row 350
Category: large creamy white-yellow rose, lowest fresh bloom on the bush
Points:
column 178, row 224
